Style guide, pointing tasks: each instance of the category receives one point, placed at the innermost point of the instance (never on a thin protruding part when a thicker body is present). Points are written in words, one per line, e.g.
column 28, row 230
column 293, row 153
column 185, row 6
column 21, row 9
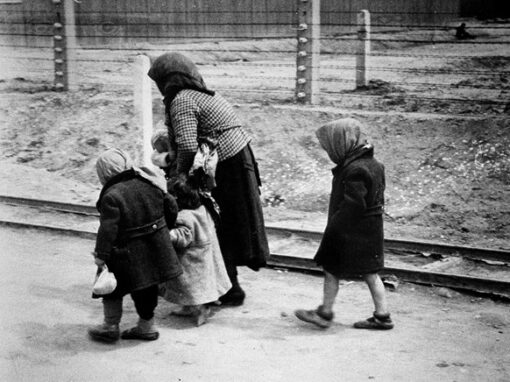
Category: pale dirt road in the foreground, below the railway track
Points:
column 45, row 317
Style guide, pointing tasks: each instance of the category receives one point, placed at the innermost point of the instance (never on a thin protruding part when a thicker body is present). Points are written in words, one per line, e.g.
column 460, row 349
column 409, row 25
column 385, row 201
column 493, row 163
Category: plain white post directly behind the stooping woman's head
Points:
column 143, row 105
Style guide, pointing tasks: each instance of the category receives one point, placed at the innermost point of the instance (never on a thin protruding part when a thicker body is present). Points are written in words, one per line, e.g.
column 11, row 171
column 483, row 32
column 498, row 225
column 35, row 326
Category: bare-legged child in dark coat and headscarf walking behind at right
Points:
column 353, row 240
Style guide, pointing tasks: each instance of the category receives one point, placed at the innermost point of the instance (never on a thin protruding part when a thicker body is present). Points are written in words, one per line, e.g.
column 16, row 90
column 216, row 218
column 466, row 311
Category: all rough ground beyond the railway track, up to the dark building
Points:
column 447, row 162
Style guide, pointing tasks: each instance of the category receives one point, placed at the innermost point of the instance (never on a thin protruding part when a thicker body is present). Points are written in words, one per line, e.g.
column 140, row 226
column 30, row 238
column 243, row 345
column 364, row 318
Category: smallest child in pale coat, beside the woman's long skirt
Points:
column 205, row 278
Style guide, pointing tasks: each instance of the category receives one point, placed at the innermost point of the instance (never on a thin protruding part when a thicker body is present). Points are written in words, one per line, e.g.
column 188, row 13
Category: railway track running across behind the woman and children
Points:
column 481, row 270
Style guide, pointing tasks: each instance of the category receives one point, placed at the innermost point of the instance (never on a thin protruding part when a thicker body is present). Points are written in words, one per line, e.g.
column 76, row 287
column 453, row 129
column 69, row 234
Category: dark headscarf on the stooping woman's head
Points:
column 174, row 72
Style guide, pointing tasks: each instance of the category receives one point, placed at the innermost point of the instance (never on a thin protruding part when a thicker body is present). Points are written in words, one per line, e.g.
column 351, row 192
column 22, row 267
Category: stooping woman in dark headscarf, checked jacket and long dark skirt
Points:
column 196, row 113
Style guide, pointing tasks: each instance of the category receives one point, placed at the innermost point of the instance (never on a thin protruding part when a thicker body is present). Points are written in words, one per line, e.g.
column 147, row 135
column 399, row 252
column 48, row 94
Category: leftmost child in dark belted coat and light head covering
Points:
column 133, row 241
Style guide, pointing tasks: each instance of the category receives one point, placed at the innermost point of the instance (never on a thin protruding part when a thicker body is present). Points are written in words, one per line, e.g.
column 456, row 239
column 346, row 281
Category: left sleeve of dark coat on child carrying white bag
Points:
column 108, row 227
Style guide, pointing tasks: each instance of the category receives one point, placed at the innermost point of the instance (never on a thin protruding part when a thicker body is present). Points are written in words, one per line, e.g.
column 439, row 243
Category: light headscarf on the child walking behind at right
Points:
column 342, row 139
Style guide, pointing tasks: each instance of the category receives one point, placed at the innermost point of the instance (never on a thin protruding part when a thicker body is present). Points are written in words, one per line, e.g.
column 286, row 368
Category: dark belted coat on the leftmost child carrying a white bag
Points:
column 133, row 236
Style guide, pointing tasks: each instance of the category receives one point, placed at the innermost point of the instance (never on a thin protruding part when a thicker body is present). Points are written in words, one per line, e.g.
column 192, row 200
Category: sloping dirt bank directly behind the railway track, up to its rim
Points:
column 448, row 177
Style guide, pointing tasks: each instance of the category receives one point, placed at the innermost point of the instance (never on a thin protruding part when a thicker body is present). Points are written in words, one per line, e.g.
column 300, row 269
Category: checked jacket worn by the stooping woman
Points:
column 193, row 114
